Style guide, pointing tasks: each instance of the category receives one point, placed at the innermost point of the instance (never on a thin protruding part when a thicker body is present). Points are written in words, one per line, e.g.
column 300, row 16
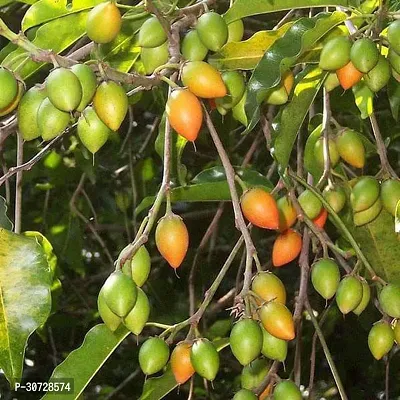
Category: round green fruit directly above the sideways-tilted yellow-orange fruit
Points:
column 212, row 30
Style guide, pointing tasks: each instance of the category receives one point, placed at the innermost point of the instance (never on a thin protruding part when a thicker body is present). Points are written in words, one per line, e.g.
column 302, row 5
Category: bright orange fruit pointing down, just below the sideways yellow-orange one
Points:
column 184, row 113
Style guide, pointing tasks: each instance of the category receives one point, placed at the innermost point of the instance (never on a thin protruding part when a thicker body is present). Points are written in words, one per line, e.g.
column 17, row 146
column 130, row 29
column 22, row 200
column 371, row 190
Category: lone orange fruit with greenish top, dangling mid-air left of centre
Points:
column 172, row 239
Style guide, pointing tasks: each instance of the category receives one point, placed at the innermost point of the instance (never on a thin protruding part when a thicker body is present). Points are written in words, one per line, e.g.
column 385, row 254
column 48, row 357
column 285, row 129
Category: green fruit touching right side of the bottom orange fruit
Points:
column 205, row 359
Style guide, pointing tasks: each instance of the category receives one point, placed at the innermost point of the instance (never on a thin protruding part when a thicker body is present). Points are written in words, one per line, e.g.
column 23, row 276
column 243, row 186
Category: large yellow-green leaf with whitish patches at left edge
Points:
column 25, row 300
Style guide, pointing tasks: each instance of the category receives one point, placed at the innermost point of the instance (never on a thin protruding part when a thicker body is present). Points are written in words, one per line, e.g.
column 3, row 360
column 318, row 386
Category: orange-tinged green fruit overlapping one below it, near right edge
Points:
column 364, row 194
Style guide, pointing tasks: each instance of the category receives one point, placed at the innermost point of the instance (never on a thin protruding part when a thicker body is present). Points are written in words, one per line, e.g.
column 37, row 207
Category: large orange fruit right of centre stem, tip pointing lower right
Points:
column 260, row 208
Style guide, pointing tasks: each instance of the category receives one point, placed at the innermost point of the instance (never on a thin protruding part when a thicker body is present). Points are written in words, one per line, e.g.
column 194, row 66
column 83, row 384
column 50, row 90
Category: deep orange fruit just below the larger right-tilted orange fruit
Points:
column 287, row 247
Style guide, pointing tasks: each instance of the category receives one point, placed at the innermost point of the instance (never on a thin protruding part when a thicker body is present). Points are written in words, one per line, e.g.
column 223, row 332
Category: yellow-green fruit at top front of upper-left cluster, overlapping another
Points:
column 64, row 89
